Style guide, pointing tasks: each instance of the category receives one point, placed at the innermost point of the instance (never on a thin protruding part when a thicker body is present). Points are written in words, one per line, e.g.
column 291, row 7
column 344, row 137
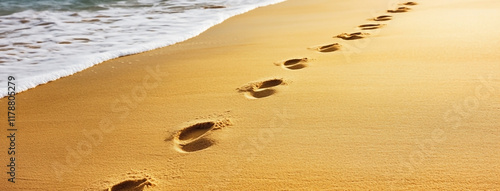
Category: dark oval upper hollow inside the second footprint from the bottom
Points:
column 194, row 132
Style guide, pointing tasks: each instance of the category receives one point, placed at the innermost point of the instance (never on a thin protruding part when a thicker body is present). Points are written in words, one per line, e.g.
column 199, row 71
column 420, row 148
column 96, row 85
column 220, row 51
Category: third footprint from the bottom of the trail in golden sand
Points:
column 256, row 90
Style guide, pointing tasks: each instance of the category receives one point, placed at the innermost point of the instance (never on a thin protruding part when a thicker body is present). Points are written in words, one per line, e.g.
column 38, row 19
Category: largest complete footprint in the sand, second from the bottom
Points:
column 194, row 138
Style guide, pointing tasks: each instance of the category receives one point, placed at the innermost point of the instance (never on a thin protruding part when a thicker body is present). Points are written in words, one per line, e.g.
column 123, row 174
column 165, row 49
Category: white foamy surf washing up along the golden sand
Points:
column 37, row 51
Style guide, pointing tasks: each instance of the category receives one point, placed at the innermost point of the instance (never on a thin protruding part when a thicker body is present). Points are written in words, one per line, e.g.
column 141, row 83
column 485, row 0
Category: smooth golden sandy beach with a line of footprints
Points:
column 279, row 98
